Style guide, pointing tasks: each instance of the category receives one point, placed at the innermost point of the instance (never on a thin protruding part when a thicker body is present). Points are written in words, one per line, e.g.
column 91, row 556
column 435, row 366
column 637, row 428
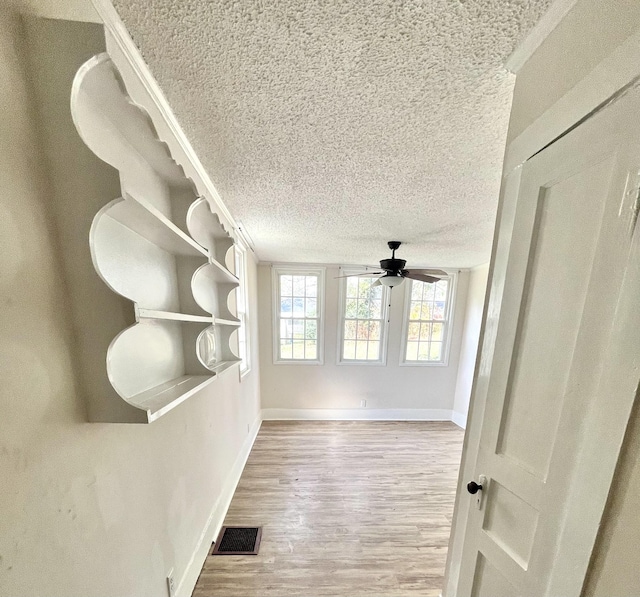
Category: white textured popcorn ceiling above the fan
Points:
column 330, row 127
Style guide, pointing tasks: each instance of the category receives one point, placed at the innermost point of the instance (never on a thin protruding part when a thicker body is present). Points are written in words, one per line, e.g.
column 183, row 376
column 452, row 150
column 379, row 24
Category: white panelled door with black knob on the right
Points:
column 564, row 362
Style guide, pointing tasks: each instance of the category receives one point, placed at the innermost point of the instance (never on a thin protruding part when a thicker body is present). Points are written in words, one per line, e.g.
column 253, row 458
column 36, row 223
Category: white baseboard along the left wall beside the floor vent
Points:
column 216, row 518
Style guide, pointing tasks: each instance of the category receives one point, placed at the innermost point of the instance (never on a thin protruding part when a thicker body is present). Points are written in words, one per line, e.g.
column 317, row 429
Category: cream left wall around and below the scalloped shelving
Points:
column 89, row 509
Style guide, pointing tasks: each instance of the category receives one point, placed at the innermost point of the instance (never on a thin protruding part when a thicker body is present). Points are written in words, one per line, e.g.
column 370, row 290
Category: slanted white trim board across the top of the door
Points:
column 617, row 70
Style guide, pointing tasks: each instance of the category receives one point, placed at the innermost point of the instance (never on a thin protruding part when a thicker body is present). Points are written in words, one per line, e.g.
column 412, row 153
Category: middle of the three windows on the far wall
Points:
column 363, row 321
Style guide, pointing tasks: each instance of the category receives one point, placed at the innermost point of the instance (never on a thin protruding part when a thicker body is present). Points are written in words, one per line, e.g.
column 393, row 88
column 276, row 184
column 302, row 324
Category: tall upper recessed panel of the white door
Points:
column 565, row 234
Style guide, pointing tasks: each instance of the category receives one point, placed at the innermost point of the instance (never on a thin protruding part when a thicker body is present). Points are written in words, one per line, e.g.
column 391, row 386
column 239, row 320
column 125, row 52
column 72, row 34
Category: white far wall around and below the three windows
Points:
column 426, row 390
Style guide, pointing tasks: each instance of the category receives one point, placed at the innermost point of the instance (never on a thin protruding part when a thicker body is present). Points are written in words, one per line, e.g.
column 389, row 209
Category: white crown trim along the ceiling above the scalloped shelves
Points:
column 127, row 46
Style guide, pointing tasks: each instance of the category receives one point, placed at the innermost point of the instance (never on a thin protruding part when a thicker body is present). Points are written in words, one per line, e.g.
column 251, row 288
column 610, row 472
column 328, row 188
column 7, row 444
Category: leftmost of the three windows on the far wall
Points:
column 298, row 315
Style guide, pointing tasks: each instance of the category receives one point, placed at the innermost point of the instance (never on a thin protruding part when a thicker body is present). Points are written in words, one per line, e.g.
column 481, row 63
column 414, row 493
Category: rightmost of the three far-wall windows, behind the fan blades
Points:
column 427, row 322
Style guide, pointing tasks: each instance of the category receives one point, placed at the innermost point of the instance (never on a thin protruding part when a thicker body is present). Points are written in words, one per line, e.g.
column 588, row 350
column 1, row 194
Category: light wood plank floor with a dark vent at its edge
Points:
column 347, row 509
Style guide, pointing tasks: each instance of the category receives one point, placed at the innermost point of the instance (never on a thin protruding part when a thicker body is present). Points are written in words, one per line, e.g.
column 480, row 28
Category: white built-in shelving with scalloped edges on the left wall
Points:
column 159, row 246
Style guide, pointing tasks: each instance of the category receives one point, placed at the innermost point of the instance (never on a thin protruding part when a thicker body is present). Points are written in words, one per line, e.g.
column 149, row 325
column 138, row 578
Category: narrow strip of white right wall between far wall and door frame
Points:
column 469, row 350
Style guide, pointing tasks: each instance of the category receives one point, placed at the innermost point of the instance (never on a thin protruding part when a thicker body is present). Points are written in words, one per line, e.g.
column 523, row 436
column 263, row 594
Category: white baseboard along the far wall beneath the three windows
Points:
column 356, row 414
